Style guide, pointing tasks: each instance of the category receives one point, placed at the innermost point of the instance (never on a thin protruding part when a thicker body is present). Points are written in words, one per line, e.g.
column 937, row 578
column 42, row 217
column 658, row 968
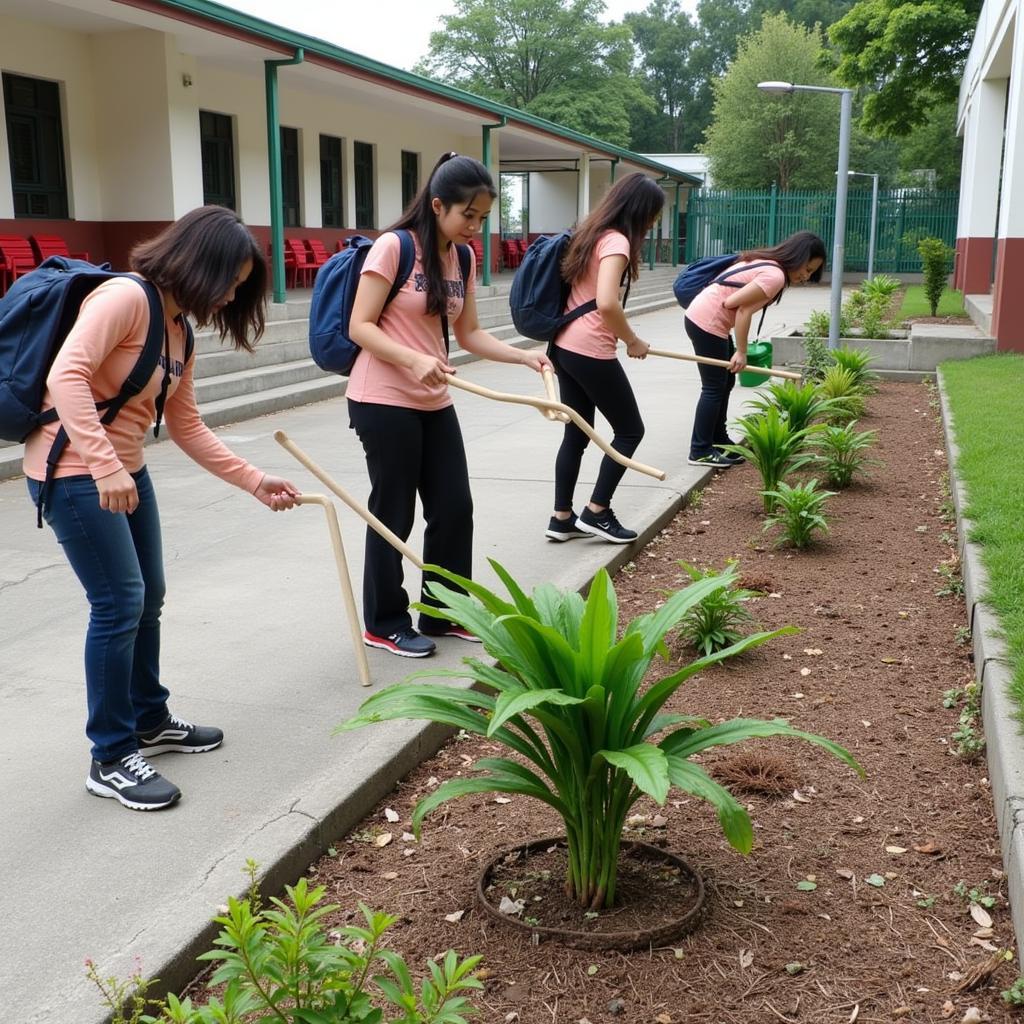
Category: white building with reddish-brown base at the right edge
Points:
column 990, row 264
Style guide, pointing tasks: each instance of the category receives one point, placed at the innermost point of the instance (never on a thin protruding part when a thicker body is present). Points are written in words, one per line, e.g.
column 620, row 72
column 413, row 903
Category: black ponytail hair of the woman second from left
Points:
column 454, row 180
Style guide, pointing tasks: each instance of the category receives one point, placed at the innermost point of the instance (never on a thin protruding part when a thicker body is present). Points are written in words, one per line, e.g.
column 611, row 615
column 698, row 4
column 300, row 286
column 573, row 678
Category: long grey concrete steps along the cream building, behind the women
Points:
column 233, row 387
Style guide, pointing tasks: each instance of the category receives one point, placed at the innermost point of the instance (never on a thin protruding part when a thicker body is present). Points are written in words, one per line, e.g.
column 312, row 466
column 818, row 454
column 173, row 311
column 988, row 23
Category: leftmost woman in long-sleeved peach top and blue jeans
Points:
column 98, row 496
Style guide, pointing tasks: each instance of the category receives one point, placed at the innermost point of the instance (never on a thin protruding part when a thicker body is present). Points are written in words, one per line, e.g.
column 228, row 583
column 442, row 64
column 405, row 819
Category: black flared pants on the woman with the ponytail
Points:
column 410, row 452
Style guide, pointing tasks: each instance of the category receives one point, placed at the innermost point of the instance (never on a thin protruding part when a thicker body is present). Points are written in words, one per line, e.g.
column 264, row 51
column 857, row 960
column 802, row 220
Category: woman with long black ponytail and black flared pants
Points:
column 399, row 401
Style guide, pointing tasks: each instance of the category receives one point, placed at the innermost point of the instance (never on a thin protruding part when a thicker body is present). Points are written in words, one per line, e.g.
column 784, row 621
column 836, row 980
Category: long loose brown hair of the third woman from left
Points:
column 630, row 206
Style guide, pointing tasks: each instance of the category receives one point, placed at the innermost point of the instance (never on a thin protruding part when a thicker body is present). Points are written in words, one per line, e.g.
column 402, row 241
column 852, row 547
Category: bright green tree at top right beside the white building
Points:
column 909, row 54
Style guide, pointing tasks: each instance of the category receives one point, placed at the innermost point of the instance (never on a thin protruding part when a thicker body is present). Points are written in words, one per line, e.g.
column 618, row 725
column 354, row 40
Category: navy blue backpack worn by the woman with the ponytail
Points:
column 334, row 294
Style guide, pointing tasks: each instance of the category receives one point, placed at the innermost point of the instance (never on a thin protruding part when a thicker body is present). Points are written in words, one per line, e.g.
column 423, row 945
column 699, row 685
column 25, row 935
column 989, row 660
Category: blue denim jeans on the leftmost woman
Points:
column 118, row 559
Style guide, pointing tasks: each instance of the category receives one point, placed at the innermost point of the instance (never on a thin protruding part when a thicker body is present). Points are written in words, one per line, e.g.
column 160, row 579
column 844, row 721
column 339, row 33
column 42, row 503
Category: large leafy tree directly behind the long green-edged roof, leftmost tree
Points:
column 551, row 58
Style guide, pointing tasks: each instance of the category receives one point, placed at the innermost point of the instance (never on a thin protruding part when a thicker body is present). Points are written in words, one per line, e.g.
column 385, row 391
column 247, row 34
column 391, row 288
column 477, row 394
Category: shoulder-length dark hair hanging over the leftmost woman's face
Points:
column 197, row 262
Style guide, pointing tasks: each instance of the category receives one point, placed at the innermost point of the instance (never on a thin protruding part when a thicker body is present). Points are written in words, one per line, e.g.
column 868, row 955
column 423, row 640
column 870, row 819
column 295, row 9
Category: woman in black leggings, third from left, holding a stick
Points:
column 603, row 254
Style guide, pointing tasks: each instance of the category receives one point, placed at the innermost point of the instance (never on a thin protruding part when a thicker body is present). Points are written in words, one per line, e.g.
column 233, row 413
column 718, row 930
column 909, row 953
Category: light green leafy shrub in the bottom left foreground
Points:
column 280, row 963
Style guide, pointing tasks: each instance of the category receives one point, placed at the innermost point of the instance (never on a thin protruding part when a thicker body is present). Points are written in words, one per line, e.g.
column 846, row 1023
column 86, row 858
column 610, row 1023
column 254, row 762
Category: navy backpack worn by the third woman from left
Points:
column 539, row 294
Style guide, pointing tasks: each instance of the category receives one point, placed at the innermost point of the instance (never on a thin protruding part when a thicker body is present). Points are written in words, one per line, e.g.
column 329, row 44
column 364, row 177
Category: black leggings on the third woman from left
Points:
column 587, row 385
